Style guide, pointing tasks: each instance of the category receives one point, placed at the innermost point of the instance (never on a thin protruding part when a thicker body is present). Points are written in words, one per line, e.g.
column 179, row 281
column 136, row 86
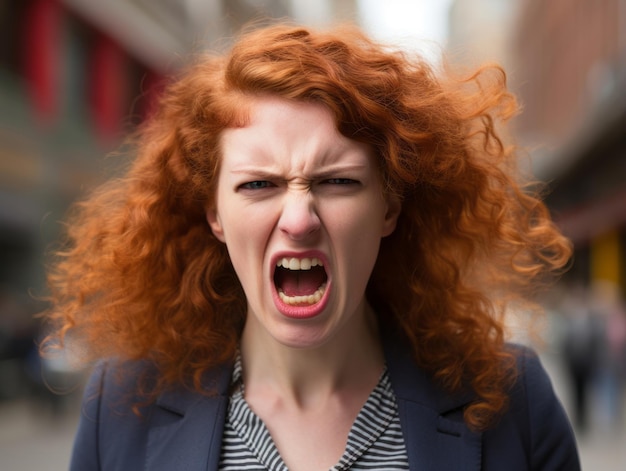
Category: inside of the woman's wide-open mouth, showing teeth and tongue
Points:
column 300, row 281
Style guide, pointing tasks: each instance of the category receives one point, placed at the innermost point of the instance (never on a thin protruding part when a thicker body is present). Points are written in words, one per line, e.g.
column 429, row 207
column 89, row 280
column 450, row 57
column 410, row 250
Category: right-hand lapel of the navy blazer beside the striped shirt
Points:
column 435, row 435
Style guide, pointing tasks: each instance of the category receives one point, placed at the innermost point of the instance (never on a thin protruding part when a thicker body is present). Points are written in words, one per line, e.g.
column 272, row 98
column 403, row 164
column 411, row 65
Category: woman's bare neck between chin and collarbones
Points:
column 349, row 363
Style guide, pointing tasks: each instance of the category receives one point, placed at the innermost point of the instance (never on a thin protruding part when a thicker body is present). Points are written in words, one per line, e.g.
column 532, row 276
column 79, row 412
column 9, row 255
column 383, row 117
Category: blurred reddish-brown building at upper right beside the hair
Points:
column 567, row 63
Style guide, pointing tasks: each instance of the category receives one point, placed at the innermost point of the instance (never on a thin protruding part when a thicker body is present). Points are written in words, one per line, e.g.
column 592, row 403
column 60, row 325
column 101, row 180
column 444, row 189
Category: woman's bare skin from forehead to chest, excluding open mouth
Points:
column 291, row 186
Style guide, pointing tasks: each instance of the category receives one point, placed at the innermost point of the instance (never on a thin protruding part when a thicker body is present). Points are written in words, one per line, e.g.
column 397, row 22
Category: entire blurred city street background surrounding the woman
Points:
column 77, row 75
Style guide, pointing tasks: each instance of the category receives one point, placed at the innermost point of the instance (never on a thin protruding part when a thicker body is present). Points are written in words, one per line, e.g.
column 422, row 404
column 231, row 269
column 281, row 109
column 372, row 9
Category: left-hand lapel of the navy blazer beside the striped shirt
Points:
column 186, row 427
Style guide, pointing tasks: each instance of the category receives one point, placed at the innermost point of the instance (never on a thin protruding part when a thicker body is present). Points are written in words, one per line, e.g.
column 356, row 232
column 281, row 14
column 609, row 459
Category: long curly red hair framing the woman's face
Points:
column 142, row 276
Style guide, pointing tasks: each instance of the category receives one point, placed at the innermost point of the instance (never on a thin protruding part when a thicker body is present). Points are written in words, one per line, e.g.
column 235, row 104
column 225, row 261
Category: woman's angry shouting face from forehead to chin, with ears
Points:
column 301, row 210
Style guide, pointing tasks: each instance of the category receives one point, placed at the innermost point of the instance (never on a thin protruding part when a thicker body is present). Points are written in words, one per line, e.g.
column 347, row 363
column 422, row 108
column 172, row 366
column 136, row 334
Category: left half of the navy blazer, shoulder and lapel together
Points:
column 120, row 428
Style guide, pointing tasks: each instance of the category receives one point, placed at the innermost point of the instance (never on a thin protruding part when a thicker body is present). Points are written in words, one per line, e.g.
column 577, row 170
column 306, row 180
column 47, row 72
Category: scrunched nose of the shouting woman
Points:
column 299, row 218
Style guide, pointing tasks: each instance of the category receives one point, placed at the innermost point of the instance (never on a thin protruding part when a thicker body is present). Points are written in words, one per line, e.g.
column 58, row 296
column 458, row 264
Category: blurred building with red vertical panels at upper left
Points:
column 75, row 77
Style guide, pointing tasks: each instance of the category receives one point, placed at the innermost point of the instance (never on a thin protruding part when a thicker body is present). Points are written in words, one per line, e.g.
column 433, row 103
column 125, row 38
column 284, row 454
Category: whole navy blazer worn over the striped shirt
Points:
column 182, row 430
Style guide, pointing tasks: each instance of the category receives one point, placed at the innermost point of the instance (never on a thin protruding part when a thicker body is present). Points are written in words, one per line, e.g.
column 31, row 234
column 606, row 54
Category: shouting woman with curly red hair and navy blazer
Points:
column 307, row 267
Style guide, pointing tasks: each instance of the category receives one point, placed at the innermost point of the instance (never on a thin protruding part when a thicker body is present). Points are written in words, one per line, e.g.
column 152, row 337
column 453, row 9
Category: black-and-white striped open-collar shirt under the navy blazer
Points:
column 375, row 440
